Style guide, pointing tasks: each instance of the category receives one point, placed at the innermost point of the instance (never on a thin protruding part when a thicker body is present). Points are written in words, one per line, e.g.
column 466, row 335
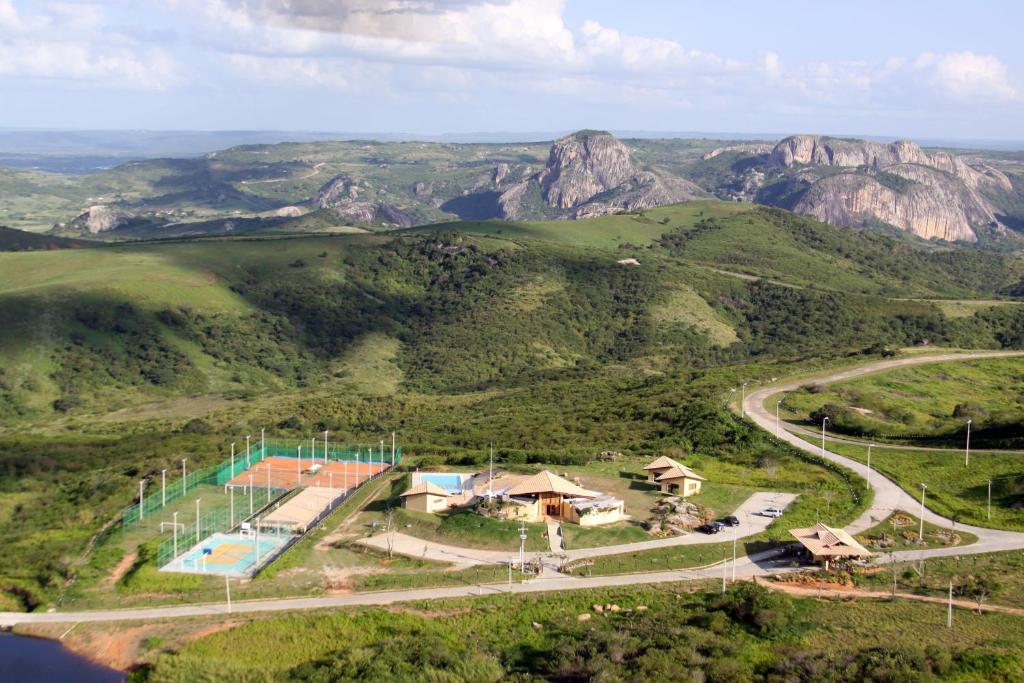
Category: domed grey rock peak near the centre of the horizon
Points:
column 590, row 175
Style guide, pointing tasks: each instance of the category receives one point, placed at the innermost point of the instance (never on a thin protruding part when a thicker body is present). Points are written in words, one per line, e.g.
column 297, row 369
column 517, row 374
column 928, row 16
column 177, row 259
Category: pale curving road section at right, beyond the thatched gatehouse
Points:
column 888, row 495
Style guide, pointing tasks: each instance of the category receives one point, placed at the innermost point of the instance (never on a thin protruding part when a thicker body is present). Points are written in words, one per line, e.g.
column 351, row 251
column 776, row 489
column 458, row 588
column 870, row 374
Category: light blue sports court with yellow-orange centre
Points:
column 230, row 556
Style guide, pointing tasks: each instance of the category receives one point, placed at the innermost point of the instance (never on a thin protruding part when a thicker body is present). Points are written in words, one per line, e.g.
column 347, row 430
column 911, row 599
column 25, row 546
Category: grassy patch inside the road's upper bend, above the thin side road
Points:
column 918, row 403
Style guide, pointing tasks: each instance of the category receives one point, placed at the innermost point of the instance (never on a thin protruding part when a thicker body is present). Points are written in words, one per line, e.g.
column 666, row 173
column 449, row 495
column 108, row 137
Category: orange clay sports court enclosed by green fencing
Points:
column 285, row 473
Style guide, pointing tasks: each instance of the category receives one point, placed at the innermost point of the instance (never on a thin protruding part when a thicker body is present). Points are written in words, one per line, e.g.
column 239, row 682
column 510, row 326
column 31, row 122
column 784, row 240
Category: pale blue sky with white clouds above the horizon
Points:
column 910, row 69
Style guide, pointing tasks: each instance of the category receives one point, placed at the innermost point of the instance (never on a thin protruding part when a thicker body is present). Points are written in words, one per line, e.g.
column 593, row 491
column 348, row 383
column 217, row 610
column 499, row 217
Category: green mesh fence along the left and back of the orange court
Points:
column 225, row 473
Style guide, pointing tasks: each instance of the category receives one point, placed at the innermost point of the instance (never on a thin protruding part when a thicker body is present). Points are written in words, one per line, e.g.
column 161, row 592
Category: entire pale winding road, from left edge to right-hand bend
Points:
column 888, row 497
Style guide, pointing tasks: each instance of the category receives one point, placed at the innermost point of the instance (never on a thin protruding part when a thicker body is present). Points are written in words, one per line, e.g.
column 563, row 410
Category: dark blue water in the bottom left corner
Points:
column 41, row 661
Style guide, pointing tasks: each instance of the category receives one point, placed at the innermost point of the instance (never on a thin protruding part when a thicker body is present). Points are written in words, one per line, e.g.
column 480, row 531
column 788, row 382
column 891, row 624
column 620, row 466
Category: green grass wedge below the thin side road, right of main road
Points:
column 955, row 491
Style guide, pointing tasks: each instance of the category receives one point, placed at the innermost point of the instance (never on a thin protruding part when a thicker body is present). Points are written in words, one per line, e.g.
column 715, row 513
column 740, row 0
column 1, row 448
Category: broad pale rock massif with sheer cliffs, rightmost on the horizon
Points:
column 930, row 195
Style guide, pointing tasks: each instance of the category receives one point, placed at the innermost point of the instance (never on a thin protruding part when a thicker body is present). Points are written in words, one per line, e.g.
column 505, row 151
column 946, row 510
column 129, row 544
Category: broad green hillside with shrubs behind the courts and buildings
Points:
column 119, row 360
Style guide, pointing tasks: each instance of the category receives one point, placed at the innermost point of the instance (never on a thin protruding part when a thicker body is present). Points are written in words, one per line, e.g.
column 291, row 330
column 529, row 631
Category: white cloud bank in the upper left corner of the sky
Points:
column 73, row 42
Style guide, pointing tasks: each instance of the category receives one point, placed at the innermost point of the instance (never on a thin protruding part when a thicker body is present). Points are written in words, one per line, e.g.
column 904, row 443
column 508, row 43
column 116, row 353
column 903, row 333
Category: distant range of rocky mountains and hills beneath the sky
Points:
column 953, row 196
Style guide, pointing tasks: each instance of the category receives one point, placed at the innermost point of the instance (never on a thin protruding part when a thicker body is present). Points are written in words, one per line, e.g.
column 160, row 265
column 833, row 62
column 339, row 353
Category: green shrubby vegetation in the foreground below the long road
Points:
column 643, row 633
